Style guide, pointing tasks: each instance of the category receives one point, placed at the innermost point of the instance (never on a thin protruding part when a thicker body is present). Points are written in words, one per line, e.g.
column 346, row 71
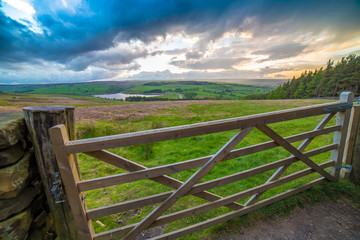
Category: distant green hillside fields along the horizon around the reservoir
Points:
column 169, row 89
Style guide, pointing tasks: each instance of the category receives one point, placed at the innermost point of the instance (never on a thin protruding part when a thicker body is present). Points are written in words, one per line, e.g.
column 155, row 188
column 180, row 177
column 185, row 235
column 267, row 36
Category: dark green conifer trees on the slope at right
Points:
column 324, row 82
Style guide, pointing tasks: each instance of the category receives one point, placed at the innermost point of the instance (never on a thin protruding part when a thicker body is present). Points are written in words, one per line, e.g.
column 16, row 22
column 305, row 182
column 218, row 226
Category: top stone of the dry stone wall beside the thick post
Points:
column 12, row 129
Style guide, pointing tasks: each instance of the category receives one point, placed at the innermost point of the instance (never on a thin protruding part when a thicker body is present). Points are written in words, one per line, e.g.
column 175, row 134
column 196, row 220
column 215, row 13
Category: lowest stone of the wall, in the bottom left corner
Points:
column 16, row 227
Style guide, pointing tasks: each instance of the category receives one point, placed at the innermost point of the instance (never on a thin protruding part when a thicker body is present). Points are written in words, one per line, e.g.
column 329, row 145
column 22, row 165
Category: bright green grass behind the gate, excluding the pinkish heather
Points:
column 167, row 152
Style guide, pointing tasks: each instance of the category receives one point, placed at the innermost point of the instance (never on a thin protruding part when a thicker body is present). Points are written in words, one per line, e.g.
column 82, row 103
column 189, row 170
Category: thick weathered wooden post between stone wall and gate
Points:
column 38, row 121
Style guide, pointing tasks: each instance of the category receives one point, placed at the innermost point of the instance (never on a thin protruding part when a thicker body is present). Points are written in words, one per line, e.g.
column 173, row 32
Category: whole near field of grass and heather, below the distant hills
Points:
column 100, row 117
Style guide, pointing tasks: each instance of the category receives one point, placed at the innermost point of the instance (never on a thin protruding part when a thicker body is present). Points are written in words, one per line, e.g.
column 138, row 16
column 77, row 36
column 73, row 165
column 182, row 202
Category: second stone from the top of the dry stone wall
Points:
column 12, row 154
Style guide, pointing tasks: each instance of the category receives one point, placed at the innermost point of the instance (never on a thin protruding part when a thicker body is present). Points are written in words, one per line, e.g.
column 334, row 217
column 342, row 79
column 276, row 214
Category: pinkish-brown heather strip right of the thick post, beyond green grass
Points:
column 130, row 111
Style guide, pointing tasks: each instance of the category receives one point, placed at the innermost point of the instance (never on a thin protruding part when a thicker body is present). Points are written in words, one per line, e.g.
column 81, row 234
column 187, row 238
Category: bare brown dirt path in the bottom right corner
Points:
column 326, row 220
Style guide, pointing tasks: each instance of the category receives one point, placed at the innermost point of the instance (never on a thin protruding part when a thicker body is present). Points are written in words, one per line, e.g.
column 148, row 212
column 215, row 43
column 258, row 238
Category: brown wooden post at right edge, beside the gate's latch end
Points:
column 353, row 157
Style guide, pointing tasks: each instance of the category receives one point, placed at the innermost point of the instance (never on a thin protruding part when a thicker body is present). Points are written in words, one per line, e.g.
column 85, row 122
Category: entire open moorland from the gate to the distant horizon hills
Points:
column 201, row 102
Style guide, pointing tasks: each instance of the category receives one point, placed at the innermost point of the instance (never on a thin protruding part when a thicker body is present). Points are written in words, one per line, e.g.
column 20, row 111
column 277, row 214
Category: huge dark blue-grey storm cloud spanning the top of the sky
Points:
column 77, row 37
